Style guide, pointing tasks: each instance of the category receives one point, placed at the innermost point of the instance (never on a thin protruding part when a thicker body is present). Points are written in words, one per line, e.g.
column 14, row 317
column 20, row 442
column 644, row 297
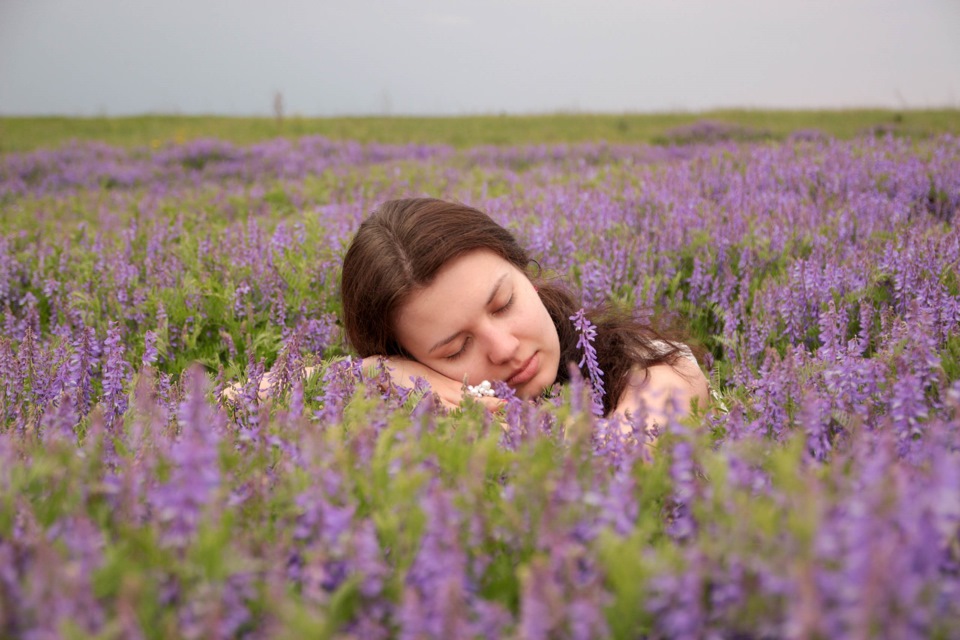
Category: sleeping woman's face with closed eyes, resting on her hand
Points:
column 481, row 319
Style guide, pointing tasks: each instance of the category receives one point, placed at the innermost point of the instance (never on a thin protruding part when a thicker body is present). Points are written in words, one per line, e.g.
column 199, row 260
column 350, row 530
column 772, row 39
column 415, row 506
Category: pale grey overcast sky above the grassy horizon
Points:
column 117, row 57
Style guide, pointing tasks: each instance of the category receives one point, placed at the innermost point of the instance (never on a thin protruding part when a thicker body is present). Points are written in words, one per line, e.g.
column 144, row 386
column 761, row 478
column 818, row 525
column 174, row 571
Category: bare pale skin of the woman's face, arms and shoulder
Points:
column 482, row 319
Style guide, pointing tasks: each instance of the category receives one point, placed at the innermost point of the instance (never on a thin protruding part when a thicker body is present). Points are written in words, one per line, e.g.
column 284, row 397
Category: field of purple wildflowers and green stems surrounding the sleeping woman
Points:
column 817, row 497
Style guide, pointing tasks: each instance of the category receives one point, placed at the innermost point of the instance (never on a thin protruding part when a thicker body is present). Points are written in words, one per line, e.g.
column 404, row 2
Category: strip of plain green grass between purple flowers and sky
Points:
column 19, row 134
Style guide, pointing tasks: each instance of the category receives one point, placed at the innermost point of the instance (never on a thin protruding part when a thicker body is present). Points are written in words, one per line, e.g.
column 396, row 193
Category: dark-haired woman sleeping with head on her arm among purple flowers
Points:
column 438, row 290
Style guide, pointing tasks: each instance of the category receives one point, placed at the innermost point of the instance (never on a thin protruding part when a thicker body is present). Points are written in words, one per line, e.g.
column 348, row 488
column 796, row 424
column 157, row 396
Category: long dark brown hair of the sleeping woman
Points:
column 404, row 243
